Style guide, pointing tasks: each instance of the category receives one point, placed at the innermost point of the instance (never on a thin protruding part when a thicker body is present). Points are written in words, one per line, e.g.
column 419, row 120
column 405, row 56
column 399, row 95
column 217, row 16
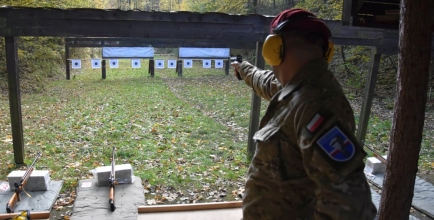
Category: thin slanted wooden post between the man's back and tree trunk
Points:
column 371, row 82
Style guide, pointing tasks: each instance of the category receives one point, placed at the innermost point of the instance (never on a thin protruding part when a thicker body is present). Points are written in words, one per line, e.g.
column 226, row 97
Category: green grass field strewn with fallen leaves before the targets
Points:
column 186, row 137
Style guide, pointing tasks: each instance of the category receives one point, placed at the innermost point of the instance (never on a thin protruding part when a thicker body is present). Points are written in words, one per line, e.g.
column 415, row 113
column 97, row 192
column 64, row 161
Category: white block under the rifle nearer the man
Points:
column 123, row 174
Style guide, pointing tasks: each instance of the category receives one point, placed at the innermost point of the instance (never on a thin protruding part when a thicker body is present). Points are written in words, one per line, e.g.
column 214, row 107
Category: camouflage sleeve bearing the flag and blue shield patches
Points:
column 333, row 159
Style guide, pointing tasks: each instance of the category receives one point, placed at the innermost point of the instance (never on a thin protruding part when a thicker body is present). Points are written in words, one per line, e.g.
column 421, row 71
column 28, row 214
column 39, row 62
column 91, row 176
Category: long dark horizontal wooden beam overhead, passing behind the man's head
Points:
column 33, row 22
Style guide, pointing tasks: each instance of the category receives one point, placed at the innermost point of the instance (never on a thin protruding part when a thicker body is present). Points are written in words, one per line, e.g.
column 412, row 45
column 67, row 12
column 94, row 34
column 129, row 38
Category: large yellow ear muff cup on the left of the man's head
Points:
column 272, row 50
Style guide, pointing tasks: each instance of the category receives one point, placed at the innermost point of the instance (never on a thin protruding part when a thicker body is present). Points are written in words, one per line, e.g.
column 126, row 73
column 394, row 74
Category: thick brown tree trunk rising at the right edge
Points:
column 415, row 35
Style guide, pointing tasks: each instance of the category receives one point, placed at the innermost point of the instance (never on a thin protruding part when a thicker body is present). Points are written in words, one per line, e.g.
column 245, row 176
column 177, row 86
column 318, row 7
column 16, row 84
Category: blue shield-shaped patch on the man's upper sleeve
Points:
column 337, row 145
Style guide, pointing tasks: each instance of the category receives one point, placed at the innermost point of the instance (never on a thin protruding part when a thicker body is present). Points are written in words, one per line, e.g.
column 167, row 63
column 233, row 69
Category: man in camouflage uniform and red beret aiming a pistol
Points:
column 307, row 164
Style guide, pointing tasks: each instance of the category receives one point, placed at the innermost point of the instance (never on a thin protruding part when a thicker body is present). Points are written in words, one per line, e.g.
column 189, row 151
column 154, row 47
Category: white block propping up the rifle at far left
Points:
column 38, row 180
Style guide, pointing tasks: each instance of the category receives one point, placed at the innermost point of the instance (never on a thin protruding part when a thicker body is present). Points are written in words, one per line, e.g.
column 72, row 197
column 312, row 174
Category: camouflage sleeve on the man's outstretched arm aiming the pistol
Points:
column 263, row 82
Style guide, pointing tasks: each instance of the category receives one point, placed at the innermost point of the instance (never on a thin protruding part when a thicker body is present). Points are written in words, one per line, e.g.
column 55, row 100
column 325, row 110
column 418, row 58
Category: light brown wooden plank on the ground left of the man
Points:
column 189, row 207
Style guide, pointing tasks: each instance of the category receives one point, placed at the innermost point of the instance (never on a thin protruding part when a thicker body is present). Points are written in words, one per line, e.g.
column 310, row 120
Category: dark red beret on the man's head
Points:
column 301, row 20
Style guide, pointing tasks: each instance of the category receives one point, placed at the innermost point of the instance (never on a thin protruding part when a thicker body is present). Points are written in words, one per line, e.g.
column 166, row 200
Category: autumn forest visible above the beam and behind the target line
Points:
column 42, row 58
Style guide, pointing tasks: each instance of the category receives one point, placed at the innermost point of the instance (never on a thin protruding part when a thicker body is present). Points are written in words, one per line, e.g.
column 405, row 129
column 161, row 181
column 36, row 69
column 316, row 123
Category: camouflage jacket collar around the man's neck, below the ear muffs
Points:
column 312, row 68
